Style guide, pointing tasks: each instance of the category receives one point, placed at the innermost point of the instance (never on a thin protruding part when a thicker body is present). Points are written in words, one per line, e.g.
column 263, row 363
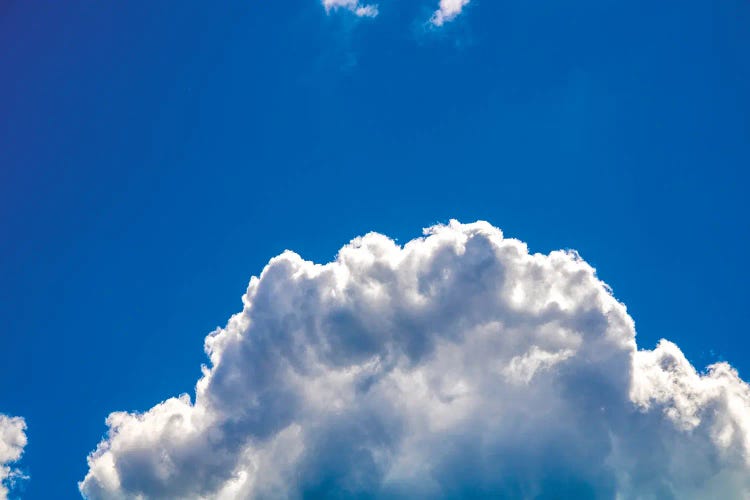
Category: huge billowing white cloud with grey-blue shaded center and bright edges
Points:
column 456, row 365
